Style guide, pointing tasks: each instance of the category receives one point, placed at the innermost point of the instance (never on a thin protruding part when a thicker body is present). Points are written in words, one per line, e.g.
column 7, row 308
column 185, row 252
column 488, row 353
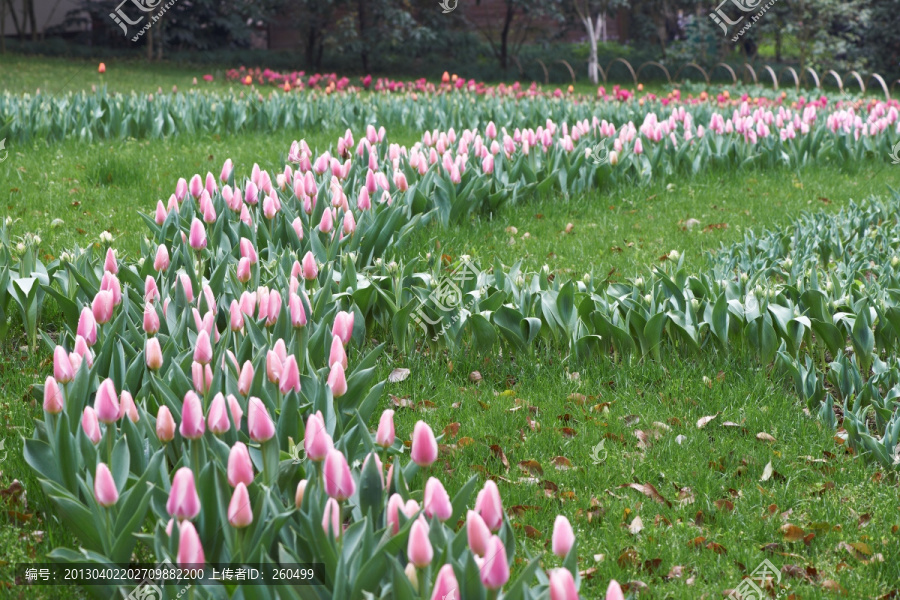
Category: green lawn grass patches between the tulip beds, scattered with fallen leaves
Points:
column 535, row 408
